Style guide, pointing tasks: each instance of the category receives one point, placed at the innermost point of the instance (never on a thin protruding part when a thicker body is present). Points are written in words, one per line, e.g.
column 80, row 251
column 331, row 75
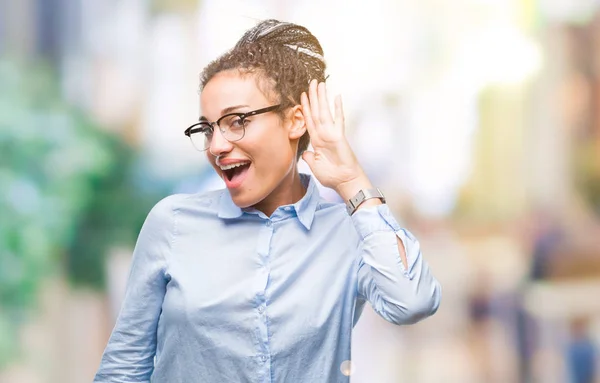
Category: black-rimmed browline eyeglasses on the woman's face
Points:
column 231, row 125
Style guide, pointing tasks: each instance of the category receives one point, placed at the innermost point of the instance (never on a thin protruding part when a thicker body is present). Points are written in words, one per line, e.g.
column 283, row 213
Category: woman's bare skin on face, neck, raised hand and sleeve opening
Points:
column 271, row 144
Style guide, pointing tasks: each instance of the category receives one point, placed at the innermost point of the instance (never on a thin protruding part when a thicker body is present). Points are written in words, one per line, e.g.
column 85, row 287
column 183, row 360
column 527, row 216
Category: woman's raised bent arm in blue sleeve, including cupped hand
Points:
column 393, row 276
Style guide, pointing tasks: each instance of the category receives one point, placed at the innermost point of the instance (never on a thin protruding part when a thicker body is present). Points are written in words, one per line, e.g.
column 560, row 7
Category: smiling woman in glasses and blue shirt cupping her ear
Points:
column 263, row 281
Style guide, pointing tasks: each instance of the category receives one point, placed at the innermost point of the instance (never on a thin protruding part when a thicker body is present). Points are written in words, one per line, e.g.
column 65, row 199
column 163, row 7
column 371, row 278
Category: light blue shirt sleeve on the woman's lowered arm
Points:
column 129, row 355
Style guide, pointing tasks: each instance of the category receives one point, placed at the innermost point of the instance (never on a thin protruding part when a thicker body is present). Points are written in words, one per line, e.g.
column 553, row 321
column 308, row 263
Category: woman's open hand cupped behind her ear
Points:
column 332, row 162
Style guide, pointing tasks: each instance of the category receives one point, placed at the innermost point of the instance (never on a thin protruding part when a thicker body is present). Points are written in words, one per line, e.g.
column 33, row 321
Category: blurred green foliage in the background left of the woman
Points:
column 69, row 191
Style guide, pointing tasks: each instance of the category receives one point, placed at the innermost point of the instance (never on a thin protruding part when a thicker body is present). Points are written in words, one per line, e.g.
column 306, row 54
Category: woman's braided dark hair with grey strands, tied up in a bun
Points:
column 285, row 56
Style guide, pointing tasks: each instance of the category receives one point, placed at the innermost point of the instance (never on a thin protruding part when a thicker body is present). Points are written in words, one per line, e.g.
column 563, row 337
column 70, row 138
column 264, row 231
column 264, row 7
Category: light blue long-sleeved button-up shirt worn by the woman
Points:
column 221, row 294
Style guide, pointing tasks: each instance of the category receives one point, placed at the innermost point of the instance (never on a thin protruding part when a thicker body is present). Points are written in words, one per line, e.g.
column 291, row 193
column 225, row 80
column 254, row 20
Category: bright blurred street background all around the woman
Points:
column 479, row 119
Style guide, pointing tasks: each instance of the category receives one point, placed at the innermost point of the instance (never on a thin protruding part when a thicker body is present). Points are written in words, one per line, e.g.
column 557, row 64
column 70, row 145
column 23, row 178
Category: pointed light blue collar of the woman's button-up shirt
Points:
column 305, row 208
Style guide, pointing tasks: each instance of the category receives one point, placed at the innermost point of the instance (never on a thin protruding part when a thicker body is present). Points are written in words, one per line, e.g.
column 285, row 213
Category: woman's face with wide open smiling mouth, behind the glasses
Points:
column 260, row 169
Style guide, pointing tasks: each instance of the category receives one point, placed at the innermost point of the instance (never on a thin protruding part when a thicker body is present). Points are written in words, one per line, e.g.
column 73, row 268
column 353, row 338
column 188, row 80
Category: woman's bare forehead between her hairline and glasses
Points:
column 231, row 88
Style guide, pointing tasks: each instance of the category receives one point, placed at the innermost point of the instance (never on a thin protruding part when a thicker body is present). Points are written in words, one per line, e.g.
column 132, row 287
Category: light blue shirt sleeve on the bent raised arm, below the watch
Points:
column 400, row 295
